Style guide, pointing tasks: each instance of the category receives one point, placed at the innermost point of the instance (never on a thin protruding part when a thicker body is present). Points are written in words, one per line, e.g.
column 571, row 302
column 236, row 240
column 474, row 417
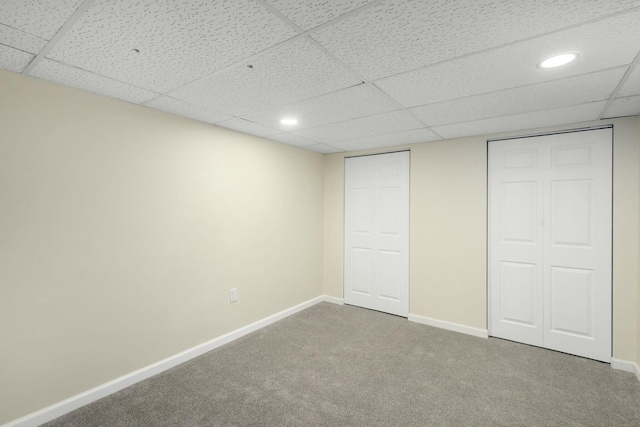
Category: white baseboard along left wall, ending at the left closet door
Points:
column 58, row 409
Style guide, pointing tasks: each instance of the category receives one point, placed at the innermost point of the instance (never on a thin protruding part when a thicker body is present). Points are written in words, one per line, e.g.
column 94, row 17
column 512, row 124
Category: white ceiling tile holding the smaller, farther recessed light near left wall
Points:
column 350, row 103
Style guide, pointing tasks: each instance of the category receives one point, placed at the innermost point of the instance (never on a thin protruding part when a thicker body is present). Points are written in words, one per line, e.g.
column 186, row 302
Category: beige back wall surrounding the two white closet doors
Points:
column 448, row 231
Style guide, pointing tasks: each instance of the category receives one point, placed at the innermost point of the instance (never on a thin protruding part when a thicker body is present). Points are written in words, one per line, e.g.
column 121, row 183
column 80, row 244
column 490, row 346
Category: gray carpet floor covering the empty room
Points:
column 346, row 366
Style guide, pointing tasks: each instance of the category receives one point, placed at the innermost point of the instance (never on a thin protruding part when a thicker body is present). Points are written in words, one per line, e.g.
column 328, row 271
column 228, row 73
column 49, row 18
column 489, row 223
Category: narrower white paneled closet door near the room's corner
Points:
column 376, row 238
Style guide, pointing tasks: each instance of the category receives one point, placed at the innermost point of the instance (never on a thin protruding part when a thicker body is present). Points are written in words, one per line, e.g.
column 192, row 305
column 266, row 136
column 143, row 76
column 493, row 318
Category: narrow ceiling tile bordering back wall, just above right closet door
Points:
column 538, row 119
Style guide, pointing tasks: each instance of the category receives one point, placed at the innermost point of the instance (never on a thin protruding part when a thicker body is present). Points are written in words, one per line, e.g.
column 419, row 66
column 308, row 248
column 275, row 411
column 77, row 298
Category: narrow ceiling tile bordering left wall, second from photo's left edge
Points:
column 81, row 79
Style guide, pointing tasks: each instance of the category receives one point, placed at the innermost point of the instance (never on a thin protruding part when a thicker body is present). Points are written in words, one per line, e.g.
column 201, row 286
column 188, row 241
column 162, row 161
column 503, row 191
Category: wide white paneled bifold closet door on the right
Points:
column 550, row 203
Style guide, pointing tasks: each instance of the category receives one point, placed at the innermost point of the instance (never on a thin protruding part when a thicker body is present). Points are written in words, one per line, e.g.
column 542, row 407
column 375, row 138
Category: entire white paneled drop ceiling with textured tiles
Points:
column 356, row 74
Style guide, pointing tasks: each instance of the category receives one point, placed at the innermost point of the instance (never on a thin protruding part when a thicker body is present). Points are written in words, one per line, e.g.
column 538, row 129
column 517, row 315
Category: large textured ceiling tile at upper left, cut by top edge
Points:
column 178, row 41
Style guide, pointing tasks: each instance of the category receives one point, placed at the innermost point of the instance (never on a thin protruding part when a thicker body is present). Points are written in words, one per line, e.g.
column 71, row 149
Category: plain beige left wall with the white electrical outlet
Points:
column 122, row 230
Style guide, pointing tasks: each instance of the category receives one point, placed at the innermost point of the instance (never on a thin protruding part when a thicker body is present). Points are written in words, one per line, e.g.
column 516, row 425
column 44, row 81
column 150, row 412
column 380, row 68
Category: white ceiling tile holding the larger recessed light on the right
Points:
column 515, row 65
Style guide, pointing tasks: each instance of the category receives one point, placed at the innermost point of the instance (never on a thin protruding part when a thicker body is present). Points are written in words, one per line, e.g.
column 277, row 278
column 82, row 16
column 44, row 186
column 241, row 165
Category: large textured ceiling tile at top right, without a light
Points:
column 397, row 36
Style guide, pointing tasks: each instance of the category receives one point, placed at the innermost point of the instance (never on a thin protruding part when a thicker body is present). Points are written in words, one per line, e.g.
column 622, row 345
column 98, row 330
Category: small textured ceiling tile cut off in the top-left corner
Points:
column 42, row 18
